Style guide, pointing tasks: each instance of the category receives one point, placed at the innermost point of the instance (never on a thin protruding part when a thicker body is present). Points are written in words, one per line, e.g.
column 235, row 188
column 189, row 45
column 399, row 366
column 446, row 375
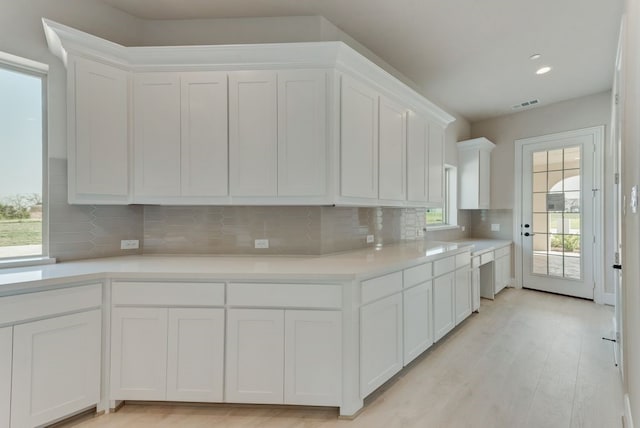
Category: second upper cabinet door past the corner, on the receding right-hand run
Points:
column 392, row 151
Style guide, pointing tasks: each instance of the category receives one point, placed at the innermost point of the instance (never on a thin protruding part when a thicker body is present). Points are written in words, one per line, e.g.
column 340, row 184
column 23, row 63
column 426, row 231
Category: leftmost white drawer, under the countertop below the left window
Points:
column 14, row 309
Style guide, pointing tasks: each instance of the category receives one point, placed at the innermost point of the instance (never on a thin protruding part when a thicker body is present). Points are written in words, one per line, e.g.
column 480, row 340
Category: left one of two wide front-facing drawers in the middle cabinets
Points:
column 168, row 293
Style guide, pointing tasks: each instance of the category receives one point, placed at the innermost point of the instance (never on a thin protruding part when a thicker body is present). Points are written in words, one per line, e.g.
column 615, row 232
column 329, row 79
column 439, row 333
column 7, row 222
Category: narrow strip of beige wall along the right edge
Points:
column 631, row 221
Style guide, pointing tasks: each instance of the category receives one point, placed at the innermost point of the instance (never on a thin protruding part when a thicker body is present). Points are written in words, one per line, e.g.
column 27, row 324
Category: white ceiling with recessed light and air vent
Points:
column 470, row 56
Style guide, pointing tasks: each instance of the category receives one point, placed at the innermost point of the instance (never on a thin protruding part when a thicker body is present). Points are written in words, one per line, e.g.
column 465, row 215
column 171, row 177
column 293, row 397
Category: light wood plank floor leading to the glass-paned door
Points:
column 528, row 359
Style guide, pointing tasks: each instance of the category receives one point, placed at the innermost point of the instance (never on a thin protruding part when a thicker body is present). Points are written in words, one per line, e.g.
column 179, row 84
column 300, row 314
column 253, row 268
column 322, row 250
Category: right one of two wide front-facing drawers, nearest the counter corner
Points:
column 322, row 296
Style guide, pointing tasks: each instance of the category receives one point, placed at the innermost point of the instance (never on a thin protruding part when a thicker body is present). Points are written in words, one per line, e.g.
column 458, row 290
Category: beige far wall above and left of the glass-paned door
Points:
column 579, row 113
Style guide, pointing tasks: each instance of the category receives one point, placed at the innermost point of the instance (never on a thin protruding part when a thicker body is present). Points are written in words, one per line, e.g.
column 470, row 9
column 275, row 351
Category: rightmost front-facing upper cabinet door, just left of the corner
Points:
column 302, row 133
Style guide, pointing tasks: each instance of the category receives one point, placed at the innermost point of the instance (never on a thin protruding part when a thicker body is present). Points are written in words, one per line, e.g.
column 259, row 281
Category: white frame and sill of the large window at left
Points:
column 40, row 70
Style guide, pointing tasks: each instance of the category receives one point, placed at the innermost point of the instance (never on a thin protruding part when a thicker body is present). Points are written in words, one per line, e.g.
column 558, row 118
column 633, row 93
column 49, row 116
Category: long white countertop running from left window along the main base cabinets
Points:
column 345, row 266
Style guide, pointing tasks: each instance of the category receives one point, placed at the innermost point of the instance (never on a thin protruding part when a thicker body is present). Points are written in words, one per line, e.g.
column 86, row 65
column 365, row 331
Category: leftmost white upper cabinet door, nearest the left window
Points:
column 98, row 133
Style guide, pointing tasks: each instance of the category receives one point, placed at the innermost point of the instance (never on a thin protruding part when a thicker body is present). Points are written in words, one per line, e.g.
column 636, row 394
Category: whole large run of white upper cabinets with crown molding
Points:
column 278, row 124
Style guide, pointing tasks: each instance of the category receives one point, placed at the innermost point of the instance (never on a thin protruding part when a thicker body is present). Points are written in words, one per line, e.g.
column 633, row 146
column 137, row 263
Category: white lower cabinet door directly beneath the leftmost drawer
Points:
column 56, row 368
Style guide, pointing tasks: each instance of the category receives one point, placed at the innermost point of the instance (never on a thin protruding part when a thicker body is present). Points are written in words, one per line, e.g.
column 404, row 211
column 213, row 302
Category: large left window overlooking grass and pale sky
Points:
column 22, row 88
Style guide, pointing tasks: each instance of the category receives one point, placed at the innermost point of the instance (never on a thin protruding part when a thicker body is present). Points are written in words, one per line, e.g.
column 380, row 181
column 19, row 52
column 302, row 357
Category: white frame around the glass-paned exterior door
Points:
column 597, row 132
